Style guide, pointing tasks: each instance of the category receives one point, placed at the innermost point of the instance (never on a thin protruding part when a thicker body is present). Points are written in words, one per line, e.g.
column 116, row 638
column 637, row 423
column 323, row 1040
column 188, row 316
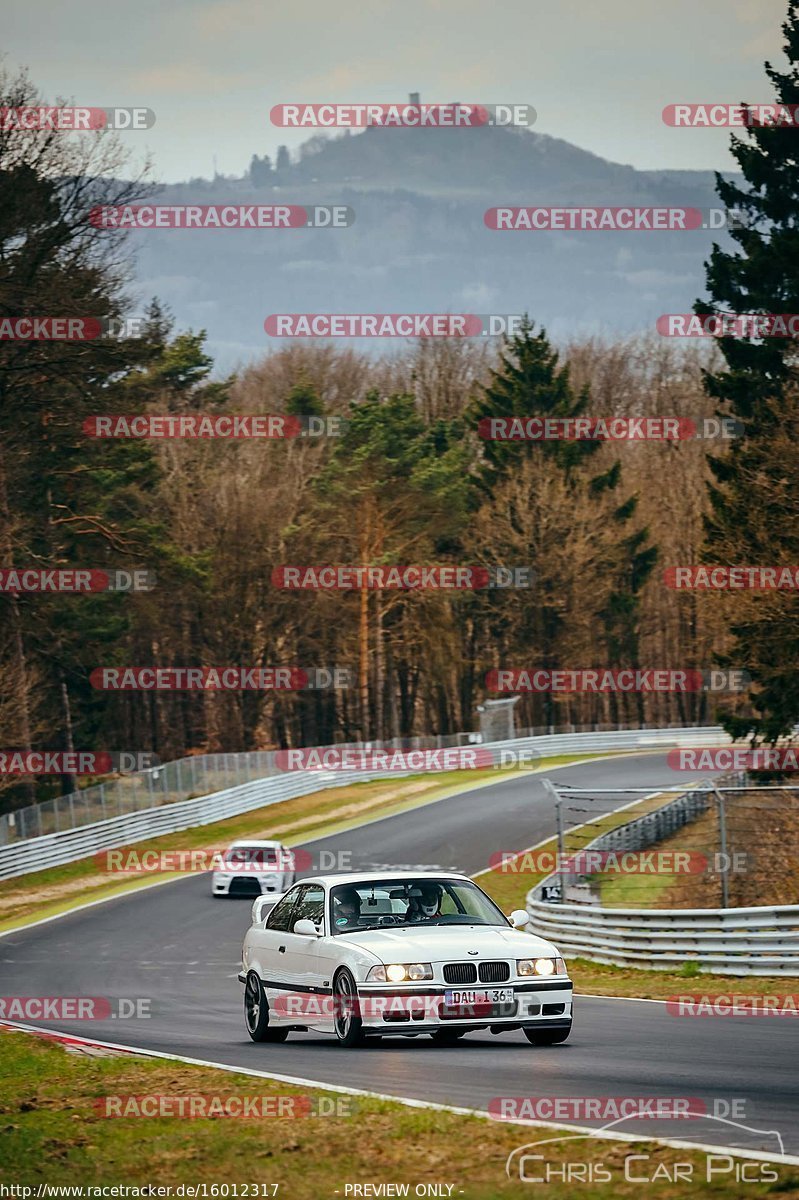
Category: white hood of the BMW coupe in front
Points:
column 443, row 944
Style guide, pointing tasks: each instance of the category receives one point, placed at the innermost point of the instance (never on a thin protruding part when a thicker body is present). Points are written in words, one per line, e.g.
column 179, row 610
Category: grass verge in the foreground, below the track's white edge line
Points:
column 50, row 1105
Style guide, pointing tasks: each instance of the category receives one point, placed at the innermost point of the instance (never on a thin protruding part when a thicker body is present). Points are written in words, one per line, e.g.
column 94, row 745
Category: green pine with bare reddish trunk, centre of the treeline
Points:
column 394, row 491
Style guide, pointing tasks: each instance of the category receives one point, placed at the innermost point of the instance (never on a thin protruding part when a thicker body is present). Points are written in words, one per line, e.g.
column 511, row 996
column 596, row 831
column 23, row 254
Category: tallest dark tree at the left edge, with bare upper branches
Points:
column 68, row 500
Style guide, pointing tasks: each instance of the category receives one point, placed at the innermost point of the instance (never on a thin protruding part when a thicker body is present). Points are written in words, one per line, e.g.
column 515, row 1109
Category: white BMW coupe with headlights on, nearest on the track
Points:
column 397, row 953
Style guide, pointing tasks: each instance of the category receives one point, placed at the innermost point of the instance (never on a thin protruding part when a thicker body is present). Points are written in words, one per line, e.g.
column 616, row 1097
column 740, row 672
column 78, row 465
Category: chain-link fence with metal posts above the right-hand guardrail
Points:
column 724, row 844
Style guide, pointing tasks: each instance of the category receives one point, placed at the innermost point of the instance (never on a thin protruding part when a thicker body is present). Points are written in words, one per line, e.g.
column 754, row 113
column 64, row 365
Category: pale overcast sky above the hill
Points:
column 599, row 73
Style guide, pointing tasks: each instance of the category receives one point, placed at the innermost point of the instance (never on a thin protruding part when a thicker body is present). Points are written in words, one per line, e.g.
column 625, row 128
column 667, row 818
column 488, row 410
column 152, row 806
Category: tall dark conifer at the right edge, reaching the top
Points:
column 754, row 512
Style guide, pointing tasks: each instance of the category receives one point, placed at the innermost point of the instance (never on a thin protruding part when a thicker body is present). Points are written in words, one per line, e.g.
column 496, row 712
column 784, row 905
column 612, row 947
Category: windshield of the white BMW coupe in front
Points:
column 429, row 902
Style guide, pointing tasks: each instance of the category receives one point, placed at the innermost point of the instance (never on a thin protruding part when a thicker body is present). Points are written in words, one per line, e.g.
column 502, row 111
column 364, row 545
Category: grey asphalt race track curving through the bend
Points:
column 182, row 949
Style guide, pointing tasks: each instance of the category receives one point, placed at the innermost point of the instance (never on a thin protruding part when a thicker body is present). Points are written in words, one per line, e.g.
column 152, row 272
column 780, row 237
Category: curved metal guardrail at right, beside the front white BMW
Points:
column 761, row 941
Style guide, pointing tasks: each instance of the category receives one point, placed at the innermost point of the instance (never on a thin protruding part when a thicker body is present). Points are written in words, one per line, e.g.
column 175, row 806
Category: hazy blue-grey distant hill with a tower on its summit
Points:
column 419, row 243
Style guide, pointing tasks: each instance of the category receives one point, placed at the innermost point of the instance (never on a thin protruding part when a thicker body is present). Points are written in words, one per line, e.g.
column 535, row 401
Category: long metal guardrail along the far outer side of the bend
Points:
column 67, row 847
